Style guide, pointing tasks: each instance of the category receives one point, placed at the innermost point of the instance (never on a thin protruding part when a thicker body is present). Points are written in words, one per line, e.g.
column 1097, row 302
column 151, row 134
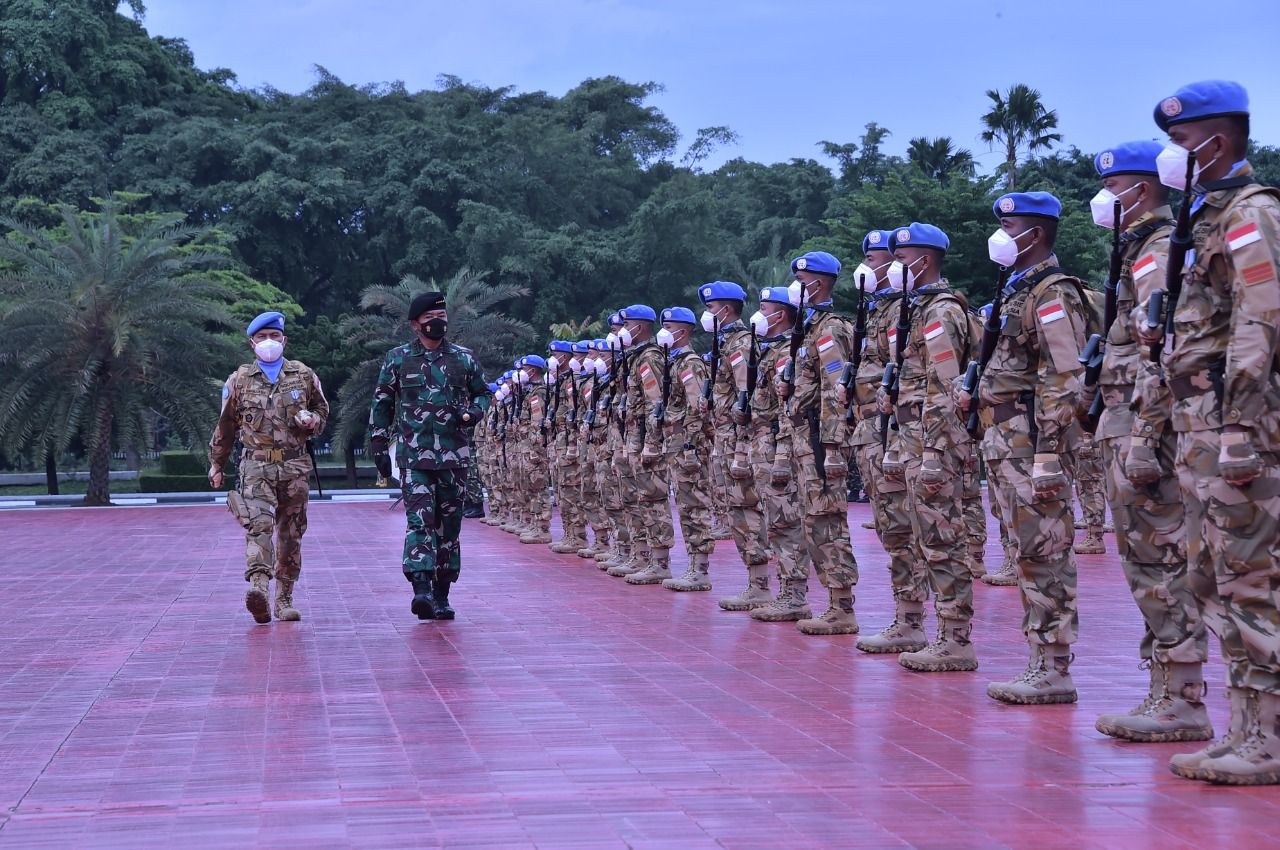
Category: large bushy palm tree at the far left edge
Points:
column 99, row 330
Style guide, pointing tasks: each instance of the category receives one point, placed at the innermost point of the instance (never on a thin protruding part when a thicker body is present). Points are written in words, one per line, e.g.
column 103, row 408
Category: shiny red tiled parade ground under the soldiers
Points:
column 140, row 707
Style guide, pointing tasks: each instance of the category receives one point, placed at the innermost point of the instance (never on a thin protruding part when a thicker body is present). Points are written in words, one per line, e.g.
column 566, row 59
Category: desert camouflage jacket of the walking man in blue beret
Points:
column 262, row 413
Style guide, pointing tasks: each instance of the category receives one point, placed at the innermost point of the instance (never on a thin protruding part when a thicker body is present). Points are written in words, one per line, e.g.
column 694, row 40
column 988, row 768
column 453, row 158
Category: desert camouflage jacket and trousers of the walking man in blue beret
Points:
column 272, row 491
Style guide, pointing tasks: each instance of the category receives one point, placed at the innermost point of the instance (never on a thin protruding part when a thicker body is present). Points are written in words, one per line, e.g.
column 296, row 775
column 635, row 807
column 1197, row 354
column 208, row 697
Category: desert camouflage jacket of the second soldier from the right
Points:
column 1126, row 364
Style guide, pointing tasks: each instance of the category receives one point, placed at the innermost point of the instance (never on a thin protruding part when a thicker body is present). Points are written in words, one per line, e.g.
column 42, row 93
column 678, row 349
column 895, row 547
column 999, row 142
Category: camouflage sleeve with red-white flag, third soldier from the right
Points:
column 1060, row 323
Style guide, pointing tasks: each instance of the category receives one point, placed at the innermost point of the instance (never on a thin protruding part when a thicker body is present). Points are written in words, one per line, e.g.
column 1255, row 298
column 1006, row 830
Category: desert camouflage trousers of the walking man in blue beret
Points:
column 272, row 501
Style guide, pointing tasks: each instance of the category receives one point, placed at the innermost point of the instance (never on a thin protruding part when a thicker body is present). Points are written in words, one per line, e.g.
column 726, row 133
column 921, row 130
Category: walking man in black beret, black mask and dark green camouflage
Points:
column 429, row 392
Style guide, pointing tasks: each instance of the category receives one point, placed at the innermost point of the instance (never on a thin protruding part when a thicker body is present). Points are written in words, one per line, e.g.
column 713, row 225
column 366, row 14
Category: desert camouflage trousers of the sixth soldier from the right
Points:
column 826, row 517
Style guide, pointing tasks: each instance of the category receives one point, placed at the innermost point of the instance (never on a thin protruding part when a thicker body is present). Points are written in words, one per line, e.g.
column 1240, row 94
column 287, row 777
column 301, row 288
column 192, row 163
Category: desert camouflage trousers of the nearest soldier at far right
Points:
column 1233, row 554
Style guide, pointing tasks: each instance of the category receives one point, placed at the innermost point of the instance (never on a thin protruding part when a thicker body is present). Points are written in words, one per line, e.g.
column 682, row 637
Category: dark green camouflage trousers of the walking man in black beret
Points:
column 433, row 508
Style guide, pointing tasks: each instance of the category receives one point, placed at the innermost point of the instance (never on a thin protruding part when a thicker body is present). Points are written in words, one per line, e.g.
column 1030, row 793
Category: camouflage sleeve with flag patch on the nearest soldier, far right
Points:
column 1254, row 245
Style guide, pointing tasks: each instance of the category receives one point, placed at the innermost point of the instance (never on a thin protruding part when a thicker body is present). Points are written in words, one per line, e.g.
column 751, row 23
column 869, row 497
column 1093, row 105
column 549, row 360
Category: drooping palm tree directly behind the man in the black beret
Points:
column 476, row 323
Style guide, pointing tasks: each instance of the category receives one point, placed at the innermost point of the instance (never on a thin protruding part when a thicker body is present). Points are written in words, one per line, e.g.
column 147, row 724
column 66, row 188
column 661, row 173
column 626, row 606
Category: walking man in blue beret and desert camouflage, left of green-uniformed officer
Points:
column 273, row 406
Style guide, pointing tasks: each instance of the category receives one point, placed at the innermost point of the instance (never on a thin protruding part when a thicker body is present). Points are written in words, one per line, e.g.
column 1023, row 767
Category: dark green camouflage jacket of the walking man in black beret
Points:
column 420, row 397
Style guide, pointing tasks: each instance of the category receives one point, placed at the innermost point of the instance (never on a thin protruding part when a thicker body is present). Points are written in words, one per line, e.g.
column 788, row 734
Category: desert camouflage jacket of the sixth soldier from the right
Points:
column 829, row 345
